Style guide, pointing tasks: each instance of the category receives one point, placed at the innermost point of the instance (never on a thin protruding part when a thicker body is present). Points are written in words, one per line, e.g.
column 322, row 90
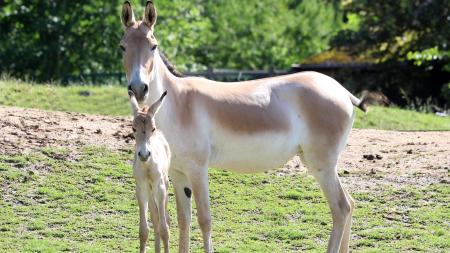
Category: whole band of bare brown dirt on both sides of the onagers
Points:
column 371, row 160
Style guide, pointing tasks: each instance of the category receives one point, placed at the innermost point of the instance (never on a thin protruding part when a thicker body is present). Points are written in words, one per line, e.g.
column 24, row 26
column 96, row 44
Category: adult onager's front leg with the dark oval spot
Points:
column 183, row 192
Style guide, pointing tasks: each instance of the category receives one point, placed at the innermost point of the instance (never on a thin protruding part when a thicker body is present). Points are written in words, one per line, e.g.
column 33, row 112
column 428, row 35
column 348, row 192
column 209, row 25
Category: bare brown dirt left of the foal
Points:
column 24, row 129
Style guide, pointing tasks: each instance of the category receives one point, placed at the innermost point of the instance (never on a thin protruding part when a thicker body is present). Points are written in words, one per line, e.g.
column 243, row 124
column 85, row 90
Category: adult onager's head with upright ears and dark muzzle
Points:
column 139, row 48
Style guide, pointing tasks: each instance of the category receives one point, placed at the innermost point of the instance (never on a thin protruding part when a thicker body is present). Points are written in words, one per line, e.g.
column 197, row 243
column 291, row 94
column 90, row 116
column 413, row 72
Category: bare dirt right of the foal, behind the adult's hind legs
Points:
column 375, row 159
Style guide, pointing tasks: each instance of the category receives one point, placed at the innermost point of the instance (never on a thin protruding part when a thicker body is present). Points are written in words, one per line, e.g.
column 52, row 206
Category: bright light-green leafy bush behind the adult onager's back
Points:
column 264, row 34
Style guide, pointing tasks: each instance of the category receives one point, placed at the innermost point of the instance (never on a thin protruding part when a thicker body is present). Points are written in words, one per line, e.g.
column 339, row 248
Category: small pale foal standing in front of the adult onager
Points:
column 150, row 171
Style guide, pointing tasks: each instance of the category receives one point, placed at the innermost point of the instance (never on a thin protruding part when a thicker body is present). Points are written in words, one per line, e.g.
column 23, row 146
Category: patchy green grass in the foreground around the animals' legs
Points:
column 83, row 201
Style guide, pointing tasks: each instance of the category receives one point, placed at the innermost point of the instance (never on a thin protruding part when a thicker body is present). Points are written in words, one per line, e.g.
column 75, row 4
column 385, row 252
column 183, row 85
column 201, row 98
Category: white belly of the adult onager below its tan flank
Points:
column 258, row 152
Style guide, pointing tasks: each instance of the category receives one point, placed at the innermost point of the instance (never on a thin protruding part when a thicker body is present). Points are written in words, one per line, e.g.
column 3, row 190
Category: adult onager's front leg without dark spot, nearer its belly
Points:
column 201, row 193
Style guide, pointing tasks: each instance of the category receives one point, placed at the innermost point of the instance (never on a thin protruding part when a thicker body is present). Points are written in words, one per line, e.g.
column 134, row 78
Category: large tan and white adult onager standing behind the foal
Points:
column 244, row 127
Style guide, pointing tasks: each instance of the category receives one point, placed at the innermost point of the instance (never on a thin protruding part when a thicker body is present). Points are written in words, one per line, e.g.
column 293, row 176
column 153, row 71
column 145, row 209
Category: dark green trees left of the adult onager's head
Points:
column 47, row 40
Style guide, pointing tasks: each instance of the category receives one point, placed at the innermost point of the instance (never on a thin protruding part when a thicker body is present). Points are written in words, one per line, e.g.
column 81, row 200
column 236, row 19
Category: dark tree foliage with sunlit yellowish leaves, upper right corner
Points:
column 398, row 29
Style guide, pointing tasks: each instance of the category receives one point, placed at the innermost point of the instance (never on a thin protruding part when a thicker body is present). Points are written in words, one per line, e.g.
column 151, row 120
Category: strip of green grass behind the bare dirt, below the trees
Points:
column 112, row 100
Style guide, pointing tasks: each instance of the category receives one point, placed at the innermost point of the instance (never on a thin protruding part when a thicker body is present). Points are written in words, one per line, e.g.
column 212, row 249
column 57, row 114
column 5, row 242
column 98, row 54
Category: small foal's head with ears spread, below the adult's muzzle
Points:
column 144, row 125
